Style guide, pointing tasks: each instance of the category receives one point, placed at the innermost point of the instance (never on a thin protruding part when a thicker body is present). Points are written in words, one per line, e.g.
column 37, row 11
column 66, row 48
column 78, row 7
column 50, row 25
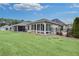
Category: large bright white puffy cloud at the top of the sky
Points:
column 29, row 6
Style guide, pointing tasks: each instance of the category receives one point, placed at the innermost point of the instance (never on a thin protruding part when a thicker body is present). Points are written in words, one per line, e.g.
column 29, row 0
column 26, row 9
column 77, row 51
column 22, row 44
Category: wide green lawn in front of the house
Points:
column 22, row 43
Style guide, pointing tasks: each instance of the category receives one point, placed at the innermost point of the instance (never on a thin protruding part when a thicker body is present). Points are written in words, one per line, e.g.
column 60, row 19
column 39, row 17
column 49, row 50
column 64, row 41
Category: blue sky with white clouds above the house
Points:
column 65, row 12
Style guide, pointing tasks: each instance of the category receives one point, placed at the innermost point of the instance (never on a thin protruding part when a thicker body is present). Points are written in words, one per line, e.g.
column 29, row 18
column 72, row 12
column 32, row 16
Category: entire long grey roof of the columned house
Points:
column 54, row 21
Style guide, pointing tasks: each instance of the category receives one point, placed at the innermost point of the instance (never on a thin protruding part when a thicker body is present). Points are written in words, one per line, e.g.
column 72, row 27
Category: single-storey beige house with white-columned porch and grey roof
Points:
column 42, row 26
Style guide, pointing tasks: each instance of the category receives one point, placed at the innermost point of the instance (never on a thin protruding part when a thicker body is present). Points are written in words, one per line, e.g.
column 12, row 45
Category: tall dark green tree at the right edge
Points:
column 75, row 28
